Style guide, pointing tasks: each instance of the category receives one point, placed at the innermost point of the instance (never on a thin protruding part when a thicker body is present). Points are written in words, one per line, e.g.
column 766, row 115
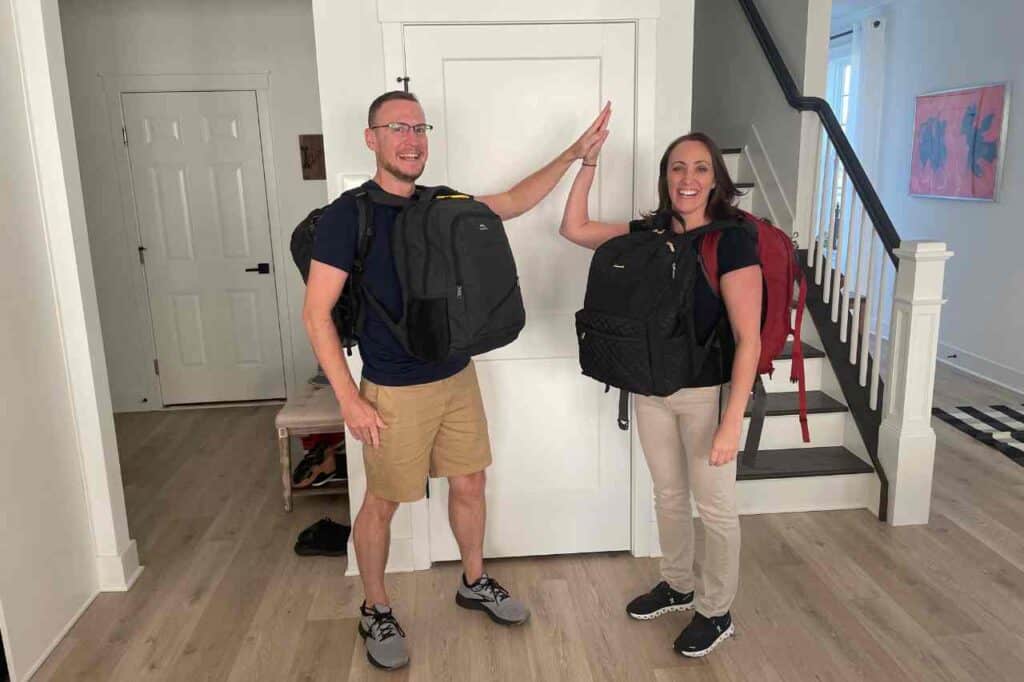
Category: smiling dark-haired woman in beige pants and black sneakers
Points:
column 690, row 441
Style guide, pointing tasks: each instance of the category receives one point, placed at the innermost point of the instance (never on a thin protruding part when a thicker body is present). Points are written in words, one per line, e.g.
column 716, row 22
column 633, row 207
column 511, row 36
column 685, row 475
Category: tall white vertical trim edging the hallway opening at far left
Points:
column 37, row 29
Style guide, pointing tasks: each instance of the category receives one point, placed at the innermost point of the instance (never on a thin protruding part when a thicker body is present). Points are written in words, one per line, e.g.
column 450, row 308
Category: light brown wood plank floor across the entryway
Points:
column 824, row 596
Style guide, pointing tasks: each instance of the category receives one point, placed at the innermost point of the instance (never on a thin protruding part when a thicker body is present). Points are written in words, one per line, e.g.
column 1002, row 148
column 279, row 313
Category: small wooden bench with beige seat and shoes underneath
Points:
column 314, row 411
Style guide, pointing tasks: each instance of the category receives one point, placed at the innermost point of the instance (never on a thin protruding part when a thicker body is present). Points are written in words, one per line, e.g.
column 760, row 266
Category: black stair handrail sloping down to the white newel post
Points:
column 862, row 184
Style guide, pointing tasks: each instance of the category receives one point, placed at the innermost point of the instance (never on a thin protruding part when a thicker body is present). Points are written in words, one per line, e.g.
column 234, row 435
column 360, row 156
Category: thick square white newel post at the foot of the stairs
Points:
column 907, row 442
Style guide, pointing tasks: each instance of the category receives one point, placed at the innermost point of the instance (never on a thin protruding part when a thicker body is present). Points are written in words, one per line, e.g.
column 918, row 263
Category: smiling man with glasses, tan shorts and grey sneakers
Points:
column 414, row 418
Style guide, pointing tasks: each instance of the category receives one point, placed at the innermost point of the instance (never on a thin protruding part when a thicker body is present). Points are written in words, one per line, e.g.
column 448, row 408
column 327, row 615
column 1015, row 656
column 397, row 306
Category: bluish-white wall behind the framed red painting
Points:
column 985, row 280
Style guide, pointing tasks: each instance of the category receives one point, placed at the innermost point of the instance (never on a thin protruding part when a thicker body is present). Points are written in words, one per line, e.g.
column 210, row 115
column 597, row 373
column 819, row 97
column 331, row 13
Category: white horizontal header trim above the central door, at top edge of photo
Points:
column 474, row 12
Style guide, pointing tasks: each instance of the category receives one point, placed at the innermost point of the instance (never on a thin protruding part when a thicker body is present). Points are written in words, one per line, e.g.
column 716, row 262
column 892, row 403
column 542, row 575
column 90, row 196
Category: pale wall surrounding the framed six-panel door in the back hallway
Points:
column 185, row 37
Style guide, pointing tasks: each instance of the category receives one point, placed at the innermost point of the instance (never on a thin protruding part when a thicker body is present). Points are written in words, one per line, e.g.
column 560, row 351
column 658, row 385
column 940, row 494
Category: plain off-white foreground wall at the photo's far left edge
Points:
column 48, row 568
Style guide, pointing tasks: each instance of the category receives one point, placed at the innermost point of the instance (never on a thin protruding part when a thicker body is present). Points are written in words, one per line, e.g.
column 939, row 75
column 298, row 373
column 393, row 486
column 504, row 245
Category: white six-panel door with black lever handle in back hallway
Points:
column 197, row 170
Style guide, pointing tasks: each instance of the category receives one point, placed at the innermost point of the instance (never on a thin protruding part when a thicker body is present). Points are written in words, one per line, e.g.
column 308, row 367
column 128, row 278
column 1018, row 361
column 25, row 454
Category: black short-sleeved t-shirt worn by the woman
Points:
column 738, row 248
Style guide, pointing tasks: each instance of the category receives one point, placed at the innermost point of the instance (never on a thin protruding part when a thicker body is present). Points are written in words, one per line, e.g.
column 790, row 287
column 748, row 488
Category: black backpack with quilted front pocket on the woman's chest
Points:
column 636, row 329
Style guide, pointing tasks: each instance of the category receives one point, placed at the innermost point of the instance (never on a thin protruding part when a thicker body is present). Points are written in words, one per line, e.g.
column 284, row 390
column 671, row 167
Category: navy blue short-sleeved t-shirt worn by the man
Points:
column 386, row 362
